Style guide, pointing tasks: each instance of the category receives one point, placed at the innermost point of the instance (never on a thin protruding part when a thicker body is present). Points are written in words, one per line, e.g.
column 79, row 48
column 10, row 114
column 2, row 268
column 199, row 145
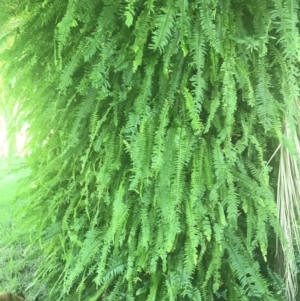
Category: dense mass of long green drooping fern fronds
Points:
column 151, row 125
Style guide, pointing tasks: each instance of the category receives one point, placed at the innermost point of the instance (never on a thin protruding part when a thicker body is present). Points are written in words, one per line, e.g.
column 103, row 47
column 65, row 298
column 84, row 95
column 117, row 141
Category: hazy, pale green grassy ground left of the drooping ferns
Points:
column 16, row 274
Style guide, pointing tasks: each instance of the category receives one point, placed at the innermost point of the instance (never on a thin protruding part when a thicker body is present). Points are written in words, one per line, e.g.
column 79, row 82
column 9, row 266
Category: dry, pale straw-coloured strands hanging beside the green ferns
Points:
column 288, row 203
